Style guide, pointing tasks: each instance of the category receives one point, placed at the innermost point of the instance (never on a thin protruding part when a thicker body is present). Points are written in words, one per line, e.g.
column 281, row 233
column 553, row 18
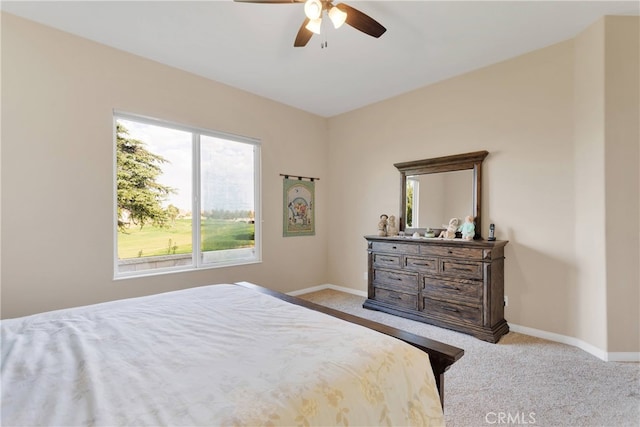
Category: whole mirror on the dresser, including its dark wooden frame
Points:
column 434, row 190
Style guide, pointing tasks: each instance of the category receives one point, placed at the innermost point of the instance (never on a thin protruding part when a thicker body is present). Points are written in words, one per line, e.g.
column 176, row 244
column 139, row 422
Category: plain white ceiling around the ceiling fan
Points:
column 250, row 46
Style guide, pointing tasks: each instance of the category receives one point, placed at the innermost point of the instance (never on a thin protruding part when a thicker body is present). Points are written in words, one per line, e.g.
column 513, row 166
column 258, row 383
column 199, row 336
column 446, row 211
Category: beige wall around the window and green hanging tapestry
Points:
column 58, row 93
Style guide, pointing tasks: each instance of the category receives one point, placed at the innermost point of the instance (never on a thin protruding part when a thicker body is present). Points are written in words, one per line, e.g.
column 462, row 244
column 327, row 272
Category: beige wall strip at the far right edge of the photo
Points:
column 622, row 175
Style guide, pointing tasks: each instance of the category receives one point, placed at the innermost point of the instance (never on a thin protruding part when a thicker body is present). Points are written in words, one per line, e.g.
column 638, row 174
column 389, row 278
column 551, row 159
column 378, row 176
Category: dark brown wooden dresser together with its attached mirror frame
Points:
column 453, row 283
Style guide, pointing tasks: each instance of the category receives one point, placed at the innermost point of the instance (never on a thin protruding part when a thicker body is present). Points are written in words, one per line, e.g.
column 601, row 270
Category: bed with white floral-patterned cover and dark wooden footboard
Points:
column 228, row 354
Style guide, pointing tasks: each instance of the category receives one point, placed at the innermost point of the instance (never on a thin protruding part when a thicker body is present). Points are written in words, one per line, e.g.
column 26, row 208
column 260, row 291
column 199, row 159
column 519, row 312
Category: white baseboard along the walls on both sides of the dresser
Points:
column 551, row 336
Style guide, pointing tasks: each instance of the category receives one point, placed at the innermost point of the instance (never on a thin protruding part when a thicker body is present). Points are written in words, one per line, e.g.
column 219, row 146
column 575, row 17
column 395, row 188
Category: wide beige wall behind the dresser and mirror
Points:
column 521, row 112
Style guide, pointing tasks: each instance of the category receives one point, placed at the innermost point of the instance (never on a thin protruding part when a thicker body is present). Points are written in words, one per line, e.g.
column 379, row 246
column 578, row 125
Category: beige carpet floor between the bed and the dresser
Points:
column 522, row 380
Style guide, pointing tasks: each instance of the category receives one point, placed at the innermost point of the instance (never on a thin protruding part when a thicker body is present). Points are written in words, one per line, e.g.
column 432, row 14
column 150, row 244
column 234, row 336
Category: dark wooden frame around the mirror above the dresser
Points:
column 456, row 162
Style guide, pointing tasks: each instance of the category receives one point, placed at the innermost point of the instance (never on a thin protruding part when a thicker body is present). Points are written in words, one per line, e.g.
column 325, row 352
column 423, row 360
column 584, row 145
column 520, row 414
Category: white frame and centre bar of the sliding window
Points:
column 197, row 258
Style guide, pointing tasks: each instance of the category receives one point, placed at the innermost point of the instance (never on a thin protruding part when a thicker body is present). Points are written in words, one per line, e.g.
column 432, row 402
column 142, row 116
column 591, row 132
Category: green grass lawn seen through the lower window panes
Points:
column 154, row 241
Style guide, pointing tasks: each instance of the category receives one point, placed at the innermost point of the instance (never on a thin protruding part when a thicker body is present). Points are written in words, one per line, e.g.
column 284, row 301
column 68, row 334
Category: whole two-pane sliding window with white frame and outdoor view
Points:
column 164, row 173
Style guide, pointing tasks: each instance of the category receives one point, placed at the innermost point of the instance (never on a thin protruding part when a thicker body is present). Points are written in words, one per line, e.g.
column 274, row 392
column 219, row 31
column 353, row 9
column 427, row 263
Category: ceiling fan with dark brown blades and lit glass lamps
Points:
column 338, row 14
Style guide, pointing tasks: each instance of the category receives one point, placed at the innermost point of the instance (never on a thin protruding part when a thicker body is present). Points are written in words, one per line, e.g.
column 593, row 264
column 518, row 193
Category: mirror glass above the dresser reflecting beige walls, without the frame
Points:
column 433, row 199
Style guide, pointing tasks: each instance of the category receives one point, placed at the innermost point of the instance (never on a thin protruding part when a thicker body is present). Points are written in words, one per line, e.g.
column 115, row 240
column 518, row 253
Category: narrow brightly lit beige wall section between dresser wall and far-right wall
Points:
column 590, row 298
